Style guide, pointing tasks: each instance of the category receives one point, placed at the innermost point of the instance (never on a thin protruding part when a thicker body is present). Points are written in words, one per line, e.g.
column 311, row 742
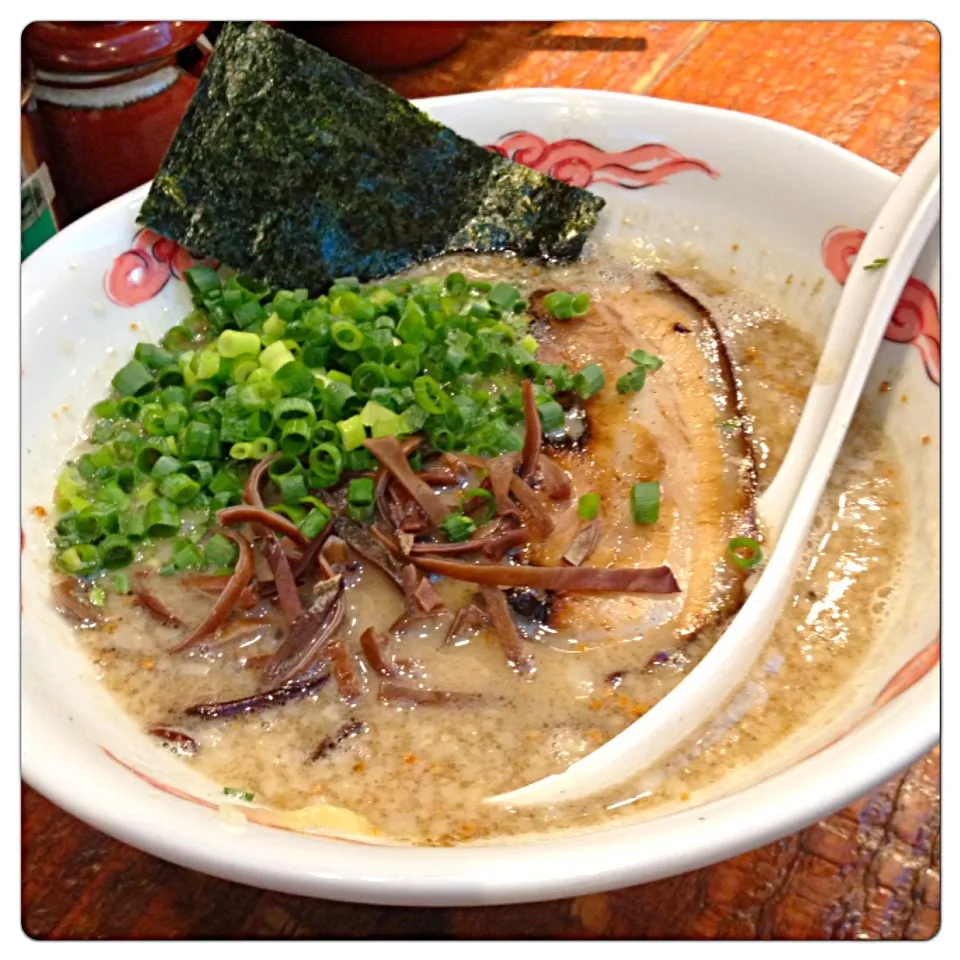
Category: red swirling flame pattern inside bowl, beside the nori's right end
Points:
column 581, row 164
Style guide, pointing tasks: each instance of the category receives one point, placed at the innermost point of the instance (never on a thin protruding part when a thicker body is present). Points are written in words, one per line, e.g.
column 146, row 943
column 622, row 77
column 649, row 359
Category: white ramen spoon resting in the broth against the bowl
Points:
column 788, row 507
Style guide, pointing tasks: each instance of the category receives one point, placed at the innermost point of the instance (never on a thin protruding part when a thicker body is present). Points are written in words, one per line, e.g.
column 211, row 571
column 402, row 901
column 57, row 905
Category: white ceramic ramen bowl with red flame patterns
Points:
column 740, row 192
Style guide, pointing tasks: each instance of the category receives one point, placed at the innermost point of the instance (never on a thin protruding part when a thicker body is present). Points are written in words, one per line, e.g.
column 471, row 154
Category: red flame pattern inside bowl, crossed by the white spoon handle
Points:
column 916, row 319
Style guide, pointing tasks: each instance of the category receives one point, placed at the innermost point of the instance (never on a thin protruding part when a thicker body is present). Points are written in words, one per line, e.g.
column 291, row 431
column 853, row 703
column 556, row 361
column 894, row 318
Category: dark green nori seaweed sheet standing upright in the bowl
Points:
column 295, row 168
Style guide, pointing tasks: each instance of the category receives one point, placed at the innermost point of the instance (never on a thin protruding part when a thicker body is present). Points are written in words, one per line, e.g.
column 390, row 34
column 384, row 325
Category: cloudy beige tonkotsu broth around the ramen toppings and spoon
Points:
column 420, row 774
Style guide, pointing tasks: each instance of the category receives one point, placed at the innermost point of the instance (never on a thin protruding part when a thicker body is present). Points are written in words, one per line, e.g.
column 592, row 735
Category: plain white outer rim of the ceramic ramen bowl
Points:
column 542, row 868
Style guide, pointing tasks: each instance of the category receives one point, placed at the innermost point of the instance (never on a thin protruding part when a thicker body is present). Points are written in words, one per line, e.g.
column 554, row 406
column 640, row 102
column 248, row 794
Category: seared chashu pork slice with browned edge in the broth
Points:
column 684, row 428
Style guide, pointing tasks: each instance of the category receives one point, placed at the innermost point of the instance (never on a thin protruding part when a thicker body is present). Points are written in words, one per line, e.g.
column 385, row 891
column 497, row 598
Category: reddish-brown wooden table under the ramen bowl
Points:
column 872, row 870
